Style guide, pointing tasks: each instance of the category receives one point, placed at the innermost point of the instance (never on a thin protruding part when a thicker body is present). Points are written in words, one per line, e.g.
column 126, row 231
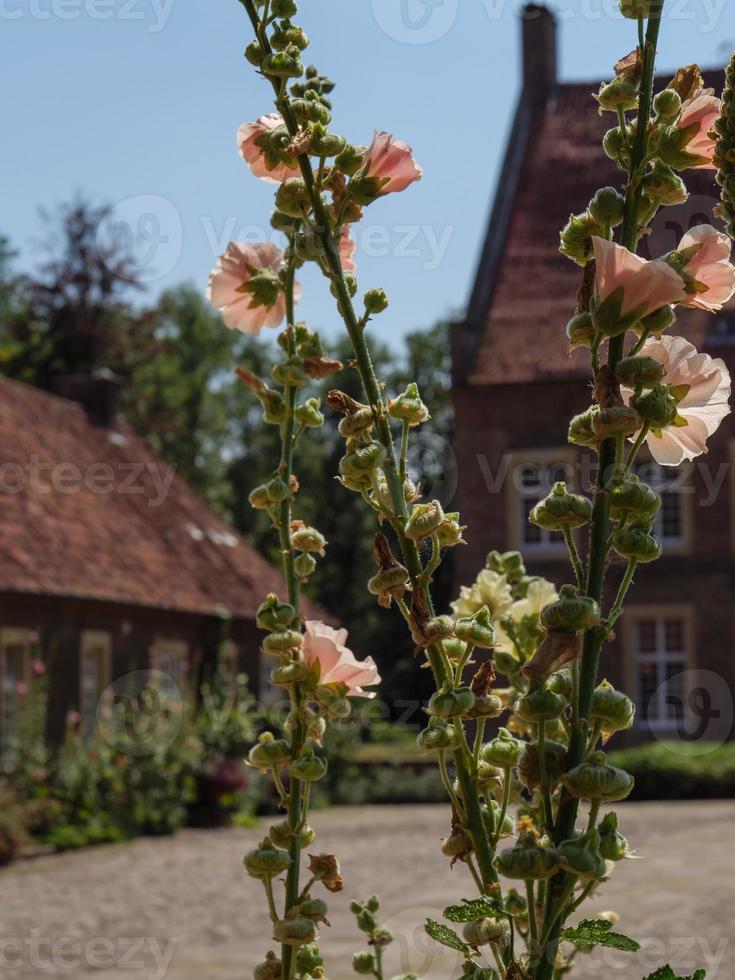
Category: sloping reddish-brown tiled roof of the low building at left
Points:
column 64, row 532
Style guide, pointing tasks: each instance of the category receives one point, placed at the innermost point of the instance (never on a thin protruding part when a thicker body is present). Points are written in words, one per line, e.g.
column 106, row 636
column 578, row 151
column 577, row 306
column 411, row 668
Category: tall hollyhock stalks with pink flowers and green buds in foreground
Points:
column 531, row 873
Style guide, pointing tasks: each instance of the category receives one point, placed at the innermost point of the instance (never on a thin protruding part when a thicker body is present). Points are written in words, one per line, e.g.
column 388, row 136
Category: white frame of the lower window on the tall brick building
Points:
column 660, row 657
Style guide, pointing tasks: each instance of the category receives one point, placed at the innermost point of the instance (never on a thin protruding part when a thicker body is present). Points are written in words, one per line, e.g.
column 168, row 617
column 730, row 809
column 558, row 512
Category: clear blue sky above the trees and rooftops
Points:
column 136, row 103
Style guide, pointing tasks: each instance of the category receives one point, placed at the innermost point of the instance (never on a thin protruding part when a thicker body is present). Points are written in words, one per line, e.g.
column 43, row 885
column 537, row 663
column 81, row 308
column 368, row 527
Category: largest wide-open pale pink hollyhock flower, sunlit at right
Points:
column 705, row 384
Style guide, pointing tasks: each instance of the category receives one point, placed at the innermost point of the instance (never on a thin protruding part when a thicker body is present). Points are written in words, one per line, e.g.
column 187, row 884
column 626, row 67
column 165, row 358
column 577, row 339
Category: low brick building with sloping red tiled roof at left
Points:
column 109, row 562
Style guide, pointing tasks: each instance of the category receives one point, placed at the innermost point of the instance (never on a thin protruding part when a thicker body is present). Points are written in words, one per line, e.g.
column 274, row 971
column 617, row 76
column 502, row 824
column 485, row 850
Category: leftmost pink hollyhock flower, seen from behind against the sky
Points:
column 242, row 309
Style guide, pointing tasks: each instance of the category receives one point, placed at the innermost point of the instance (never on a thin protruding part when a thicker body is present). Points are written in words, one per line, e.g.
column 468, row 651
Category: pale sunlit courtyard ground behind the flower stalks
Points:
column 182, row 907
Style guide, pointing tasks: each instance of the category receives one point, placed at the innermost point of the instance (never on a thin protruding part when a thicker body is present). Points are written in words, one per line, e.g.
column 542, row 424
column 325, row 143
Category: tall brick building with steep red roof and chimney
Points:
column 516, row 387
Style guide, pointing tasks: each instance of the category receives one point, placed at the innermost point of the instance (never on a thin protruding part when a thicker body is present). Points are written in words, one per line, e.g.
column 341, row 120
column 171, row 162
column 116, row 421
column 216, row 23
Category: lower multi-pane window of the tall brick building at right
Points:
column 660, row 651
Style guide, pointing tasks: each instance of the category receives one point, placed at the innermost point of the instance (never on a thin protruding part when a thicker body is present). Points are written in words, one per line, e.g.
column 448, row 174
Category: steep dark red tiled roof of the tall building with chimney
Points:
column 524, row 289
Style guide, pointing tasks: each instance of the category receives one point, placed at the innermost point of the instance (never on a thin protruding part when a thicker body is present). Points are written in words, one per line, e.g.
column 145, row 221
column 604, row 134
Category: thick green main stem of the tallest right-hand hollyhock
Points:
column 594, row 638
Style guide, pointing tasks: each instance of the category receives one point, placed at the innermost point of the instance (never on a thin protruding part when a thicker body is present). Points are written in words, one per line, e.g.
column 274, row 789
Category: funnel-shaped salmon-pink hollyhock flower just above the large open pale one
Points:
column 647, row 286
